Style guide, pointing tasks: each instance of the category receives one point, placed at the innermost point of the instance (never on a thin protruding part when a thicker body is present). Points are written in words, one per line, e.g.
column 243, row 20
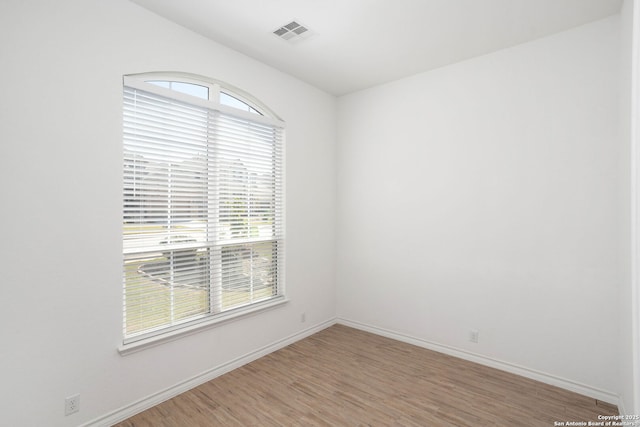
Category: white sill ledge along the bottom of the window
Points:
column 145, row 343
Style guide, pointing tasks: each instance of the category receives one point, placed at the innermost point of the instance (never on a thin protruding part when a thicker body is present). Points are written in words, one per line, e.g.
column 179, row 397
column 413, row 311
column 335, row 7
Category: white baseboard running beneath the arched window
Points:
column 159, row 397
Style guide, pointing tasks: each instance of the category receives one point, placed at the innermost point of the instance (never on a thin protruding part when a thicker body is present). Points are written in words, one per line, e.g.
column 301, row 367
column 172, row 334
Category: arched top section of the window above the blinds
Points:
column 207, row 89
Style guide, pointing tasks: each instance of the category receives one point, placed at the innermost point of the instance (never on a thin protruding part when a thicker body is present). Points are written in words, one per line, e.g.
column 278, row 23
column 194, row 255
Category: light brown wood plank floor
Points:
column 345, row 377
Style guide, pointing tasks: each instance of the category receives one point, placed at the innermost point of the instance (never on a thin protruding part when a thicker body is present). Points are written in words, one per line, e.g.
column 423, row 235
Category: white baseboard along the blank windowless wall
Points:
column 566, row 384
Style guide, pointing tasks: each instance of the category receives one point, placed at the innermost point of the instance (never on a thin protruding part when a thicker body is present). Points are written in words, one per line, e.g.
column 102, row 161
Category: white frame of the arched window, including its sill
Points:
column 262, row 115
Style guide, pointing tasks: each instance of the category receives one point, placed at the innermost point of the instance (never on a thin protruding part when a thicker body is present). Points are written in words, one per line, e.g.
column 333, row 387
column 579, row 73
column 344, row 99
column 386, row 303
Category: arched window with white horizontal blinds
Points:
column 203, row 232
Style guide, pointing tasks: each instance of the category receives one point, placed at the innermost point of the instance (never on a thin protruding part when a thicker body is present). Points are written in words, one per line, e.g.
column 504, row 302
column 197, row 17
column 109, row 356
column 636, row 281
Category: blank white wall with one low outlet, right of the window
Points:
column 485, row 195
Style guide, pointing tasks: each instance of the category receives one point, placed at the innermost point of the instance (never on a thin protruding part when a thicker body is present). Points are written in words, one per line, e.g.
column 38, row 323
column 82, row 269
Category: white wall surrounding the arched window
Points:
column 60, row 171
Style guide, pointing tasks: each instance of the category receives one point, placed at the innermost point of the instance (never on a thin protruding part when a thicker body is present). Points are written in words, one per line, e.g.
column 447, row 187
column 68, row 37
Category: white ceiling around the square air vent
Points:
column 362, row 43
